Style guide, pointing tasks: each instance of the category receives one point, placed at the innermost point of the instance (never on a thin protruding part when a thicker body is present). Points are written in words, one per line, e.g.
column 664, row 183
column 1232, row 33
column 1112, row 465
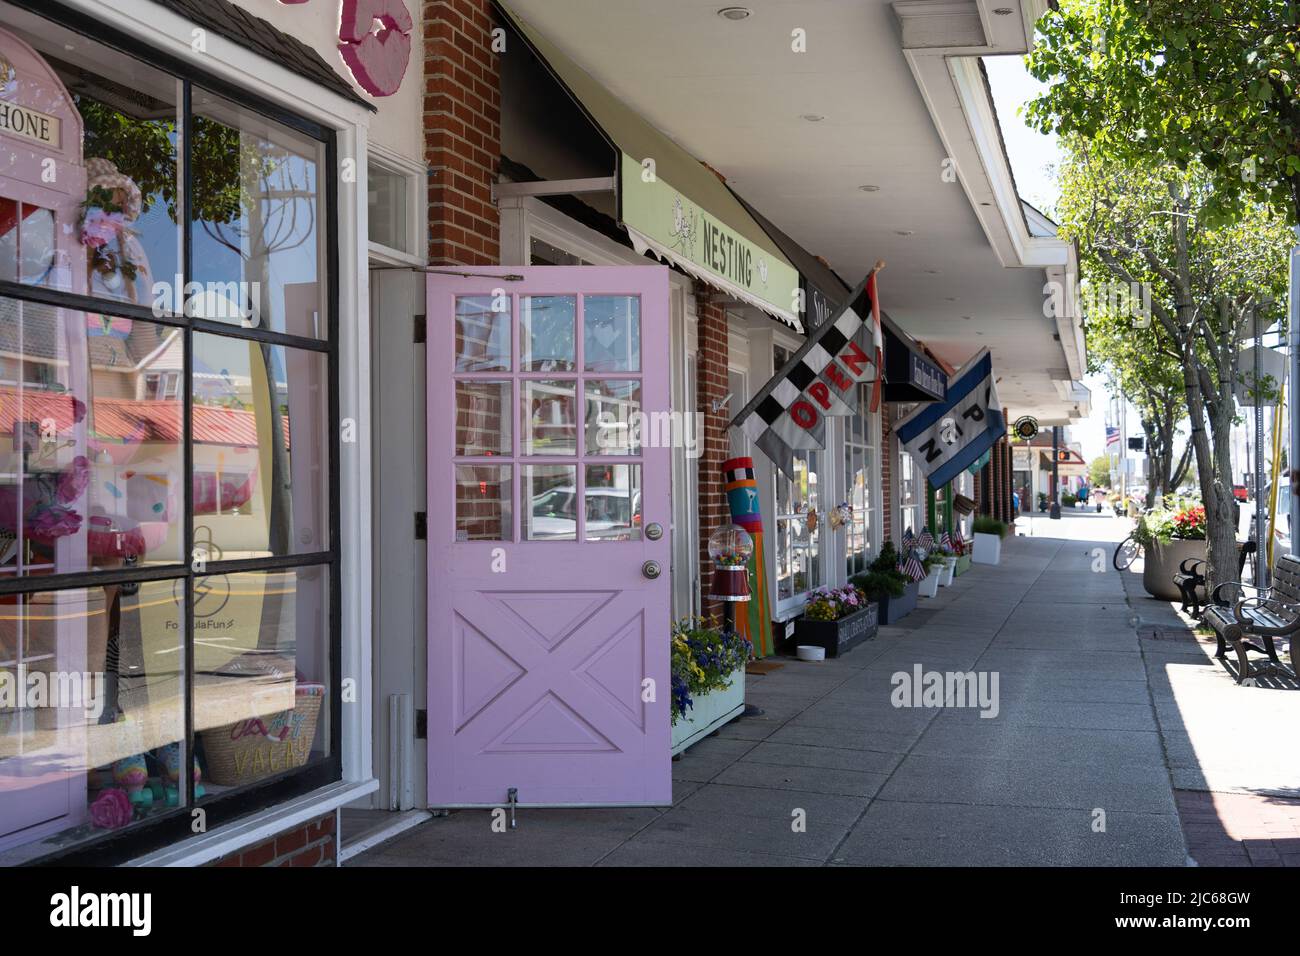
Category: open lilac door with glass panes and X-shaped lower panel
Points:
column 549, row 547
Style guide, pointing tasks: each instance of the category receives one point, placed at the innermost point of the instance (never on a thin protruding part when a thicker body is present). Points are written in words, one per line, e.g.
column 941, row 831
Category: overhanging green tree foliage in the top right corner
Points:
column 1208, row 84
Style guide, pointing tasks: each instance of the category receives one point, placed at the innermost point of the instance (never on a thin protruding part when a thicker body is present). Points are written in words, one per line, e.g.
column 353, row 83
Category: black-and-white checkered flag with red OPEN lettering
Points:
column 821, row 380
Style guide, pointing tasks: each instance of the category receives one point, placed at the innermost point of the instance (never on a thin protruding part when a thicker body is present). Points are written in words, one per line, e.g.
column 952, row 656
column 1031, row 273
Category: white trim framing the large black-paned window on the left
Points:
column 171, row 33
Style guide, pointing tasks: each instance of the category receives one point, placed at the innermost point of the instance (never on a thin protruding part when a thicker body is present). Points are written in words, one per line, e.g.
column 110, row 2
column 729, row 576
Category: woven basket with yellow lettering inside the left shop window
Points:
column 259, row 747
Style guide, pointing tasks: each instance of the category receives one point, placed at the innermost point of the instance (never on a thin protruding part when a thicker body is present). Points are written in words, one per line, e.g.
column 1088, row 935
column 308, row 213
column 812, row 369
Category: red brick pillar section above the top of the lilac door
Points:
column 462, row 128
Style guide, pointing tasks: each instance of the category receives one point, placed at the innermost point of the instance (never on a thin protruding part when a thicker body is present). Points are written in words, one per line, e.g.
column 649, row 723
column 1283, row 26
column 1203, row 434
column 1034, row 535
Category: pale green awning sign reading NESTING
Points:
column 660, row 213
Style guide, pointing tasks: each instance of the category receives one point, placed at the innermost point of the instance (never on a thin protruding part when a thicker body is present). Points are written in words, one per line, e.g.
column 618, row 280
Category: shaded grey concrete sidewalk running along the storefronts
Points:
column 1072, row 771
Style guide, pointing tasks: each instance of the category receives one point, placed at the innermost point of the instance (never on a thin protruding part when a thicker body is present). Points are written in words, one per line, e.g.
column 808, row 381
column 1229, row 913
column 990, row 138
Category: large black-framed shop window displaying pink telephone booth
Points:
column 157, row 470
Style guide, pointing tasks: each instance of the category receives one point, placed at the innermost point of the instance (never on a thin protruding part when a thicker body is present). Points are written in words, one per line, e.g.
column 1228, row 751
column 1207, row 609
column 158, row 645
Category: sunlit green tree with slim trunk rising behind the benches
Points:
column 1147, row 227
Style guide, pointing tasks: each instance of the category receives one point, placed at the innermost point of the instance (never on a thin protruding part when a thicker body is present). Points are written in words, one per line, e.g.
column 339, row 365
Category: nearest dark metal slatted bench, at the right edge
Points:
column 1264, row 613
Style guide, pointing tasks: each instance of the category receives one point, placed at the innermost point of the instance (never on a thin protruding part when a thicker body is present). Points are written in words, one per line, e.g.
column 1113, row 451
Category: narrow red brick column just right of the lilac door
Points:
column 710, row 384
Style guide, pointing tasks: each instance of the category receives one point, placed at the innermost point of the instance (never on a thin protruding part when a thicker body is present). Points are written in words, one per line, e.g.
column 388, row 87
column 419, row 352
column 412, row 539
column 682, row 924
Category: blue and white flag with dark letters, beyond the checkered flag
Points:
column 947, row 438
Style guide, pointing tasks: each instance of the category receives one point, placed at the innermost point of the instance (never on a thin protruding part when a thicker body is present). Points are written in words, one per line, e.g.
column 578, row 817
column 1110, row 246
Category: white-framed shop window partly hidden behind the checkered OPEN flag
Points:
column 799, row 526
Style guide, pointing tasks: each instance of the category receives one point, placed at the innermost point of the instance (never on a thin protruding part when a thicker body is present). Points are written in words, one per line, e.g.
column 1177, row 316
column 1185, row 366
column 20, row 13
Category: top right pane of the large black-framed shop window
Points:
column 258, row 226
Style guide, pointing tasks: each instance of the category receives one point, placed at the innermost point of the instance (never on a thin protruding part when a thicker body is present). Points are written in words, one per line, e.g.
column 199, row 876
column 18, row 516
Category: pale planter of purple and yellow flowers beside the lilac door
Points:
column 708, row 680
